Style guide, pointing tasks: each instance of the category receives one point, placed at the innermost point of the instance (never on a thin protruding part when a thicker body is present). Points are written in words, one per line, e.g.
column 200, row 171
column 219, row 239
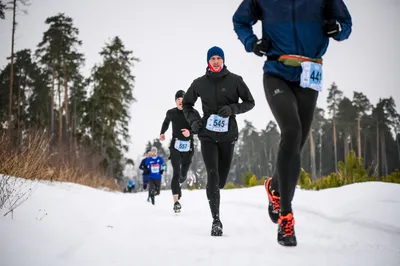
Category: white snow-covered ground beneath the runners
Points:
column 353, row 225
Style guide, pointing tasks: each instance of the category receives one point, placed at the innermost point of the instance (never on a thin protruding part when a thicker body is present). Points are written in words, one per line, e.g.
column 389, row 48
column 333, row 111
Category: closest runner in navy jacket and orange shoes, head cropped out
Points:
column 295, row 36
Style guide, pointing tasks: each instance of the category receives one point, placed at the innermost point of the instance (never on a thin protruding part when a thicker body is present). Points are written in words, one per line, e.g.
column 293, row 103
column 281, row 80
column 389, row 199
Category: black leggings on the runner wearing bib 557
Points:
column 180, row 163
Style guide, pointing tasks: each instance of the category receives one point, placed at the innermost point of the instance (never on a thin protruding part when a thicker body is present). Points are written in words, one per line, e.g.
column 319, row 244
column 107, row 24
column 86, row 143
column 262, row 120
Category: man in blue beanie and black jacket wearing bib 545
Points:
column 219, row 91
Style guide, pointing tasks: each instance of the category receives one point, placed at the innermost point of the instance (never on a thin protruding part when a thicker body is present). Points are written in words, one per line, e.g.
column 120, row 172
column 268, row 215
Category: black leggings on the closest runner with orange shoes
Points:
column 293, row 108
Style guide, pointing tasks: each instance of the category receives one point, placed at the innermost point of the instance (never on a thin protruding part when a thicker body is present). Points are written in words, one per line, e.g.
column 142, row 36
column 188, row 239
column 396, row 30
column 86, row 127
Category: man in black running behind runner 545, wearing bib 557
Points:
column 181, row 146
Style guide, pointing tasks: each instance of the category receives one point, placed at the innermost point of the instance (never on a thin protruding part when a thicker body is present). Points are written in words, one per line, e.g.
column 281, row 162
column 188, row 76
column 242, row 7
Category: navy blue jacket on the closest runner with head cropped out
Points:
column 293, row 26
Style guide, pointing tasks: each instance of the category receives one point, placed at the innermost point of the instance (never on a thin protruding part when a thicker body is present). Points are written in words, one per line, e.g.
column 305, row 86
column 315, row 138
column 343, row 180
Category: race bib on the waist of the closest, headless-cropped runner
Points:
column 311, row 76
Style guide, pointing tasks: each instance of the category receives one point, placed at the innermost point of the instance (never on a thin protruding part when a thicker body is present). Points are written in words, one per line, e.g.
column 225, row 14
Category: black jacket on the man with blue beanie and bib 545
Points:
column 217, row 89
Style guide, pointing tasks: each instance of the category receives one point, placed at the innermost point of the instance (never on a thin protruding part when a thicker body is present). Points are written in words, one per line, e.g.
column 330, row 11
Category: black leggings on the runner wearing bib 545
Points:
column 217, row 158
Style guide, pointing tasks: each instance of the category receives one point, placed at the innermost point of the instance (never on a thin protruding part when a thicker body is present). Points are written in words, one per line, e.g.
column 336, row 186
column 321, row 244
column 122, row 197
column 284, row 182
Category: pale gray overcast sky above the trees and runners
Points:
column 172, row 37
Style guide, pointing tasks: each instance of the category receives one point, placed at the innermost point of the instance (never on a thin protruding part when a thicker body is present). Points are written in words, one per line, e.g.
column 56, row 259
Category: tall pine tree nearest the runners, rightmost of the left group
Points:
column 108, row 107
